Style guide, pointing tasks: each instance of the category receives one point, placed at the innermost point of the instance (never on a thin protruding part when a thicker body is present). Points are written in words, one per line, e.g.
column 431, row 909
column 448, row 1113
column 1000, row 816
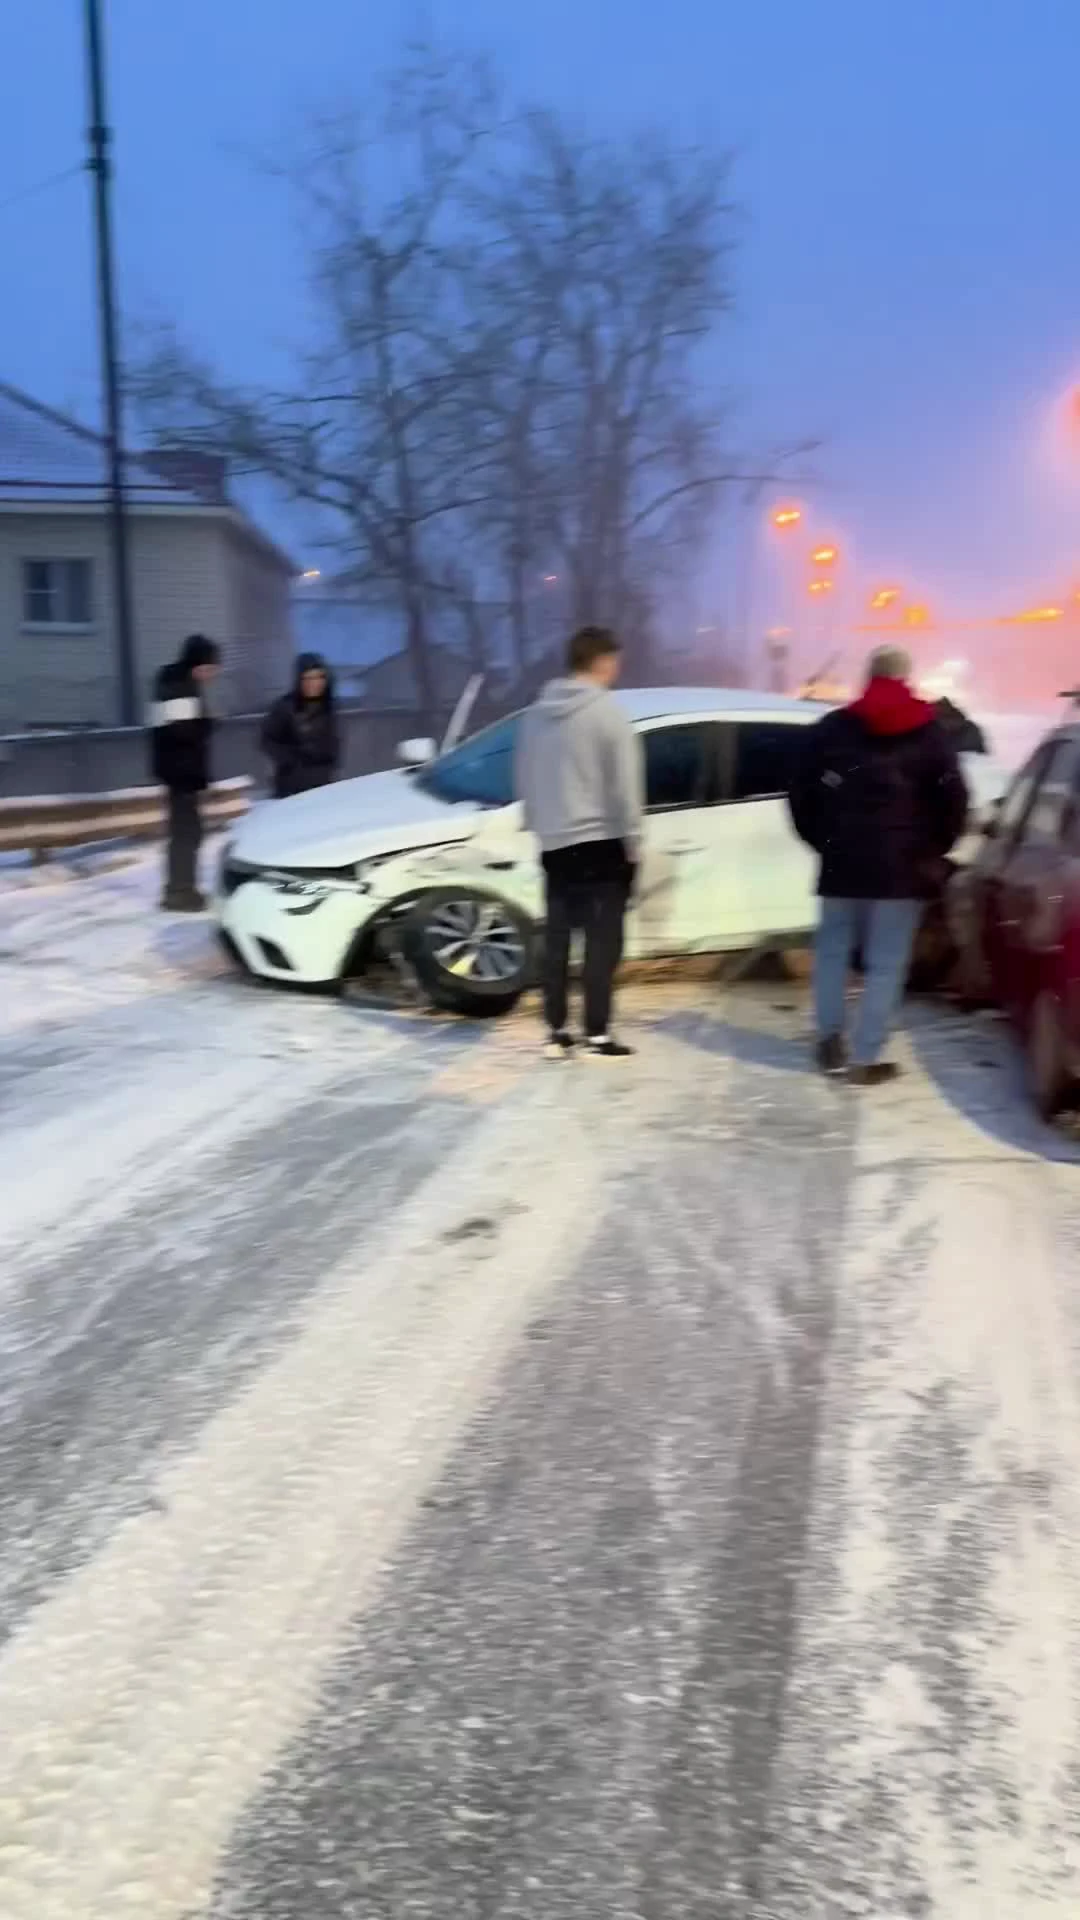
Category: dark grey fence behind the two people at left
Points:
column 103, row 761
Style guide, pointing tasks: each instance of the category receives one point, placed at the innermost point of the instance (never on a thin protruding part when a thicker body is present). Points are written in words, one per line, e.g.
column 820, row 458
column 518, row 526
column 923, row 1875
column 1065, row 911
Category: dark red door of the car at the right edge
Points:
column 1031, row 884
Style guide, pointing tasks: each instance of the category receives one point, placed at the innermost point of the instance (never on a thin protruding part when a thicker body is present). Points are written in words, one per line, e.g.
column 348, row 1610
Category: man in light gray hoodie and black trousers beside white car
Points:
column 579, row 775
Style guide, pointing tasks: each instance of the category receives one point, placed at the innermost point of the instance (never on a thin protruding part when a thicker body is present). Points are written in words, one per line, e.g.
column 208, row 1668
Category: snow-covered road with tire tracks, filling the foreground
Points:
column 443, row 1485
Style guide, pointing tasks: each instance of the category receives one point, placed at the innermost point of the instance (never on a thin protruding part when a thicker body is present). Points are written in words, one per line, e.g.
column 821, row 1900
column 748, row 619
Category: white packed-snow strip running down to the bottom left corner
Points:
column 143, row 1704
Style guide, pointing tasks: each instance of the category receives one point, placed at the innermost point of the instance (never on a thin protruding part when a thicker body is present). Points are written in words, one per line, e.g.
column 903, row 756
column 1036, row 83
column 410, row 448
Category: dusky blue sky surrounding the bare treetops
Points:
column 910, row 274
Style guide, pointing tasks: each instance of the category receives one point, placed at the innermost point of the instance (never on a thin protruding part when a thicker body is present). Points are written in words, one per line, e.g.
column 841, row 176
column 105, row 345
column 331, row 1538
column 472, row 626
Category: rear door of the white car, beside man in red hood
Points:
column 772, row 878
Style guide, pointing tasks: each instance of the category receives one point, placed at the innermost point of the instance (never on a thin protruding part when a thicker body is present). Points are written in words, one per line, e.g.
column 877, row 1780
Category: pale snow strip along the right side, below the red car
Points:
column 933, row 1756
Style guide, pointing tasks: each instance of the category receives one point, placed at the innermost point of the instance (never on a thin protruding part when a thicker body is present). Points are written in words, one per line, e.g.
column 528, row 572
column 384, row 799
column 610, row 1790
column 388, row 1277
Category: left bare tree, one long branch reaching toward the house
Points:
column 372, row 427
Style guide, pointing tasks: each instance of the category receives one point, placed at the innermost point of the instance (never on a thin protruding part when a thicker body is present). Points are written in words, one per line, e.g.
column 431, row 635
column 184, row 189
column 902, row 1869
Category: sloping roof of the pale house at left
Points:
column 51, row 460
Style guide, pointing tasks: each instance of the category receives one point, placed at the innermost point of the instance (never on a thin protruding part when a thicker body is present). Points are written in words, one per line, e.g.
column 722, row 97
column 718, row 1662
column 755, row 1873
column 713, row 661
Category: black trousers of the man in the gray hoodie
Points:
column 589, row 890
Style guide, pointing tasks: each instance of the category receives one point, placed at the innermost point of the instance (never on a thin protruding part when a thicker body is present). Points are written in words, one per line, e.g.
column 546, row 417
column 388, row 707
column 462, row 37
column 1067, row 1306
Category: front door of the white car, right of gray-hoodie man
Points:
column 674, row 909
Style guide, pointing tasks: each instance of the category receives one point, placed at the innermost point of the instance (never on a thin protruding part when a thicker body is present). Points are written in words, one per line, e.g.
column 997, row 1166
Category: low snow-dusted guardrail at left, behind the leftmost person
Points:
column 41, row 827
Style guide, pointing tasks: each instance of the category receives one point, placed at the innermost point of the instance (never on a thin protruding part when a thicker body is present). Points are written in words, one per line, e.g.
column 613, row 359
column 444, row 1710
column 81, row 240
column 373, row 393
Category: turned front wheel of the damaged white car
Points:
column 470, row 951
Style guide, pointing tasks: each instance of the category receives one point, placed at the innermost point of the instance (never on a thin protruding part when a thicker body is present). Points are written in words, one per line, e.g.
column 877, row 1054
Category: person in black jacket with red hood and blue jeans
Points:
column 881, row 798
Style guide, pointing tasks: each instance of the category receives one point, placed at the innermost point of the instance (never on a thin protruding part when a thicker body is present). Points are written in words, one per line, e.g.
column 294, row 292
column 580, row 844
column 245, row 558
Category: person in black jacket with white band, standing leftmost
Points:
column 180, row 757
